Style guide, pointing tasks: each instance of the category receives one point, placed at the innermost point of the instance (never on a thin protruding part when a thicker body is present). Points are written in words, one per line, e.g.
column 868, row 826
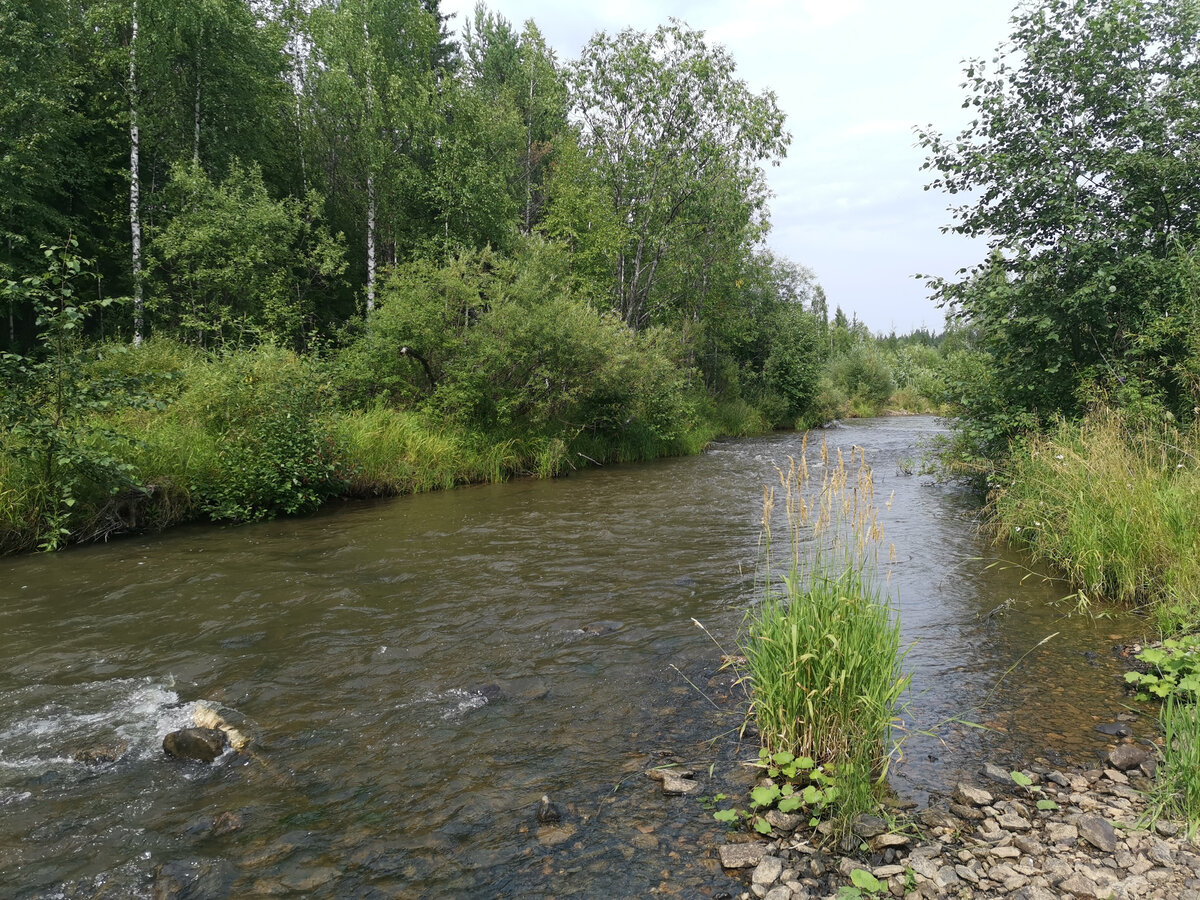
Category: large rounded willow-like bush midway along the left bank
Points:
column 508, row 349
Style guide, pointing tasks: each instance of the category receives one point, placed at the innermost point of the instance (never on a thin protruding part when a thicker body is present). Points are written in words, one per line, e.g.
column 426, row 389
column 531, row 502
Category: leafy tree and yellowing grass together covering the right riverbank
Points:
column 1082, row 393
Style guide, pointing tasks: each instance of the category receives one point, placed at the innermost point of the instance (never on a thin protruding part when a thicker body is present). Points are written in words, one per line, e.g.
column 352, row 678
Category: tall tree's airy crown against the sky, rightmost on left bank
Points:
column 677, row 142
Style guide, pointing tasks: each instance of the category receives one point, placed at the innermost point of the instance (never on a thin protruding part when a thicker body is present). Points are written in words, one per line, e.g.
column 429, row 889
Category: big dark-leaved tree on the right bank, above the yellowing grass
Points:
column 1076, row 172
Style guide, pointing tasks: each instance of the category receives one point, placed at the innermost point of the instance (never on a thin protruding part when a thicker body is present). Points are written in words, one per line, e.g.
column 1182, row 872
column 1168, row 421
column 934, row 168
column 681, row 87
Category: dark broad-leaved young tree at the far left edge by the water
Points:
column 53, row 409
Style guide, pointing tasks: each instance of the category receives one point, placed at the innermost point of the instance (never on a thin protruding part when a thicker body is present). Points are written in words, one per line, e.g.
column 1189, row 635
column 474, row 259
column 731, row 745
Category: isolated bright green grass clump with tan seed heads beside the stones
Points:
column 824, row 646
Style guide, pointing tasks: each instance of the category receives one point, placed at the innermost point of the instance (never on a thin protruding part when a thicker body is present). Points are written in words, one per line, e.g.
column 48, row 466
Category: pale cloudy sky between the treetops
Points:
column 855, row 79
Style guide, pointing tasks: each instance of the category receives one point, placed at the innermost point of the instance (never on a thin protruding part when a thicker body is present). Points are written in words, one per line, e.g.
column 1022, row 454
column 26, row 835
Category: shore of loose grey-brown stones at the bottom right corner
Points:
column 1065, row 835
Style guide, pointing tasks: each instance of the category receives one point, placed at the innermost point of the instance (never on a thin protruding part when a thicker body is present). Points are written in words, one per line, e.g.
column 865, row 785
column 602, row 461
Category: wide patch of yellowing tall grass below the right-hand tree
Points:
column 1114, row 505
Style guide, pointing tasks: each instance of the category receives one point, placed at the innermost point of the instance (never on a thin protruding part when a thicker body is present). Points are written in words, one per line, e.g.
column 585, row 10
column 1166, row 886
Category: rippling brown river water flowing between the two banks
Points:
column 418, row 673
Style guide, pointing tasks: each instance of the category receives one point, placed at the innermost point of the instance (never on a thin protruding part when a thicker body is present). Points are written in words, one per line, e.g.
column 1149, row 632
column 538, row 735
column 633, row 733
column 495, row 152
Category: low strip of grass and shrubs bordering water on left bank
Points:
column 265, row 433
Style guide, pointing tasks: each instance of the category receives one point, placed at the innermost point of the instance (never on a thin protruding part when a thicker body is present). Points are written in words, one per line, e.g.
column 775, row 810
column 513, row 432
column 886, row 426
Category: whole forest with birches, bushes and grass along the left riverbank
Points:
column 261, row 256
